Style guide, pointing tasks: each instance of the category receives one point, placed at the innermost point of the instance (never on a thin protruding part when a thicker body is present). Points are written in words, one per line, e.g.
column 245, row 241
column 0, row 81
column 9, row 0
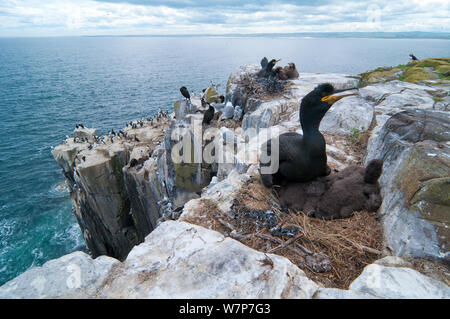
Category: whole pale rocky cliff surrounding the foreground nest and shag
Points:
column 125, row 190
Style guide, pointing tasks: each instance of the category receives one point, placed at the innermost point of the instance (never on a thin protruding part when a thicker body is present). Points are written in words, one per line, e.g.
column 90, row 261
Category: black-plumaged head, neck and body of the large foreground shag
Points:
column 302, row 157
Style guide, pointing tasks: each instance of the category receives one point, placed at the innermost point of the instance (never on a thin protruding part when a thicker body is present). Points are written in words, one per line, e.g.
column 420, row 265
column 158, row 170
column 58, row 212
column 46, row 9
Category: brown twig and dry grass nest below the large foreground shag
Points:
column 332, row 253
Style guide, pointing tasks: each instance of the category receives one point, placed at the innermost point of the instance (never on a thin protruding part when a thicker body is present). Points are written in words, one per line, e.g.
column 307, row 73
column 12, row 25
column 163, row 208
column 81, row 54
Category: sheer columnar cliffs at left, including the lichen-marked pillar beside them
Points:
column 123, row 185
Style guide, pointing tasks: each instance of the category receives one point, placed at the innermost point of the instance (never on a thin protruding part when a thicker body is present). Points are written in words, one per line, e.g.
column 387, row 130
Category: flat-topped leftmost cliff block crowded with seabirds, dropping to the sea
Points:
column 109, row 197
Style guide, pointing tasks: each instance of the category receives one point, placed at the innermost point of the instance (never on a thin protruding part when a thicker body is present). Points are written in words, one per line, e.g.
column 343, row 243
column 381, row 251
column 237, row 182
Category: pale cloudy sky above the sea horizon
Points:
column 173, row 17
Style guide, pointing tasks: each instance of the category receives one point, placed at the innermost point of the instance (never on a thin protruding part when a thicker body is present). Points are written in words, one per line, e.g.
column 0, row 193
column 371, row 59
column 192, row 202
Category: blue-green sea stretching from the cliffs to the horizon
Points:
column 49, row 84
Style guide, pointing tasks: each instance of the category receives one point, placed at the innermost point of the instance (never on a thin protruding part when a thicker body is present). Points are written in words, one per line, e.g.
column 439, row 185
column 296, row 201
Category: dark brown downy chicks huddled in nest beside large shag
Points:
column 338, row 195
